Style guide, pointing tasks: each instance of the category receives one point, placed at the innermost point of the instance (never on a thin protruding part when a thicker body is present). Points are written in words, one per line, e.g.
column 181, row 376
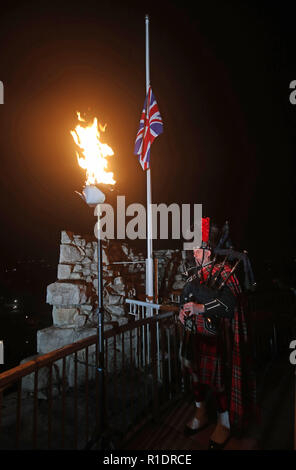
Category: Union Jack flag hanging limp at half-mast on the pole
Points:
column 151, row 126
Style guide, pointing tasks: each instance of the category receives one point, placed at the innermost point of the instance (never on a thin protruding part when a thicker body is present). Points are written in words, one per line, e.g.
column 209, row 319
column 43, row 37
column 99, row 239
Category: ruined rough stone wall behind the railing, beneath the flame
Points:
column 74, row 294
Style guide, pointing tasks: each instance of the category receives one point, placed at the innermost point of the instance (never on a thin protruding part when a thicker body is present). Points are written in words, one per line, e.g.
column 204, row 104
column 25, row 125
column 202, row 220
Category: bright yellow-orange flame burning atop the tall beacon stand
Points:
column 93, row 151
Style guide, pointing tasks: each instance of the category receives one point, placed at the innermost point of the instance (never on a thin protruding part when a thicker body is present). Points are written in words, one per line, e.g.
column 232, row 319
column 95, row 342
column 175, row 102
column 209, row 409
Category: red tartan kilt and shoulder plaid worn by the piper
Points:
column 212, row 356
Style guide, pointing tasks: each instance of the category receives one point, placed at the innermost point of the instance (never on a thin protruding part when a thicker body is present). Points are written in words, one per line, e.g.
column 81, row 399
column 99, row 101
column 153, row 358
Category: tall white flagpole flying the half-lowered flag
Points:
column 149, row 260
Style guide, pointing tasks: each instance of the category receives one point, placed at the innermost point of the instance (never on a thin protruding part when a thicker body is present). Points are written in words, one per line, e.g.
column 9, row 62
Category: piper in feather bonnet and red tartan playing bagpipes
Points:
column 215, row 342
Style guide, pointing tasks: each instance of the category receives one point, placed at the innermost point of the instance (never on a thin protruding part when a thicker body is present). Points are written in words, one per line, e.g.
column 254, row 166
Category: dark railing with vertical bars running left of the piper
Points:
column 53, row 401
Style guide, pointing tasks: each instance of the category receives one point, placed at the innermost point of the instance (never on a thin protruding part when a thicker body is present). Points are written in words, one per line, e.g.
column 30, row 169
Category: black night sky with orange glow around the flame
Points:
column 221, row 75
